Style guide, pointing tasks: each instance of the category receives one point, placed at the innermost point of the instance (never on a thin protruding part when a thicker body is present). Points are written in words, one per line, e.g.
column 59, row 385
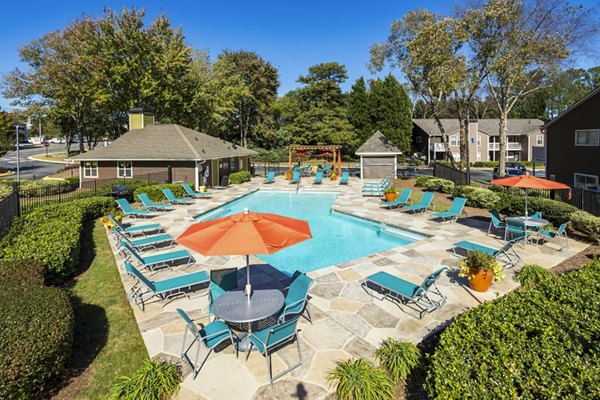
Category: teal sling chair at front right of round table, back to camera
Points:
column 272, row 338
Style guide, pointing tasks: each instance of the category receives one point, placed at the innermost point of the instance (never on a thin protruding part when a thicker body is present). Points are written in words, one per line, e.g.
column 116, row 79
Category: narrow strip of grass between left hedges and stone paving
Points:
column 107, row 342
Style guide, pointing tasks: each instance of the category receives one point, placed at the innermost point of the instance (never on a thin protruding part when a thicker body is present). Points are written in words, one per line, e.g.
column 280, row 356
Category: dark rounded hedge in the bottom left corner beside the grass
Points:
column 36, row 331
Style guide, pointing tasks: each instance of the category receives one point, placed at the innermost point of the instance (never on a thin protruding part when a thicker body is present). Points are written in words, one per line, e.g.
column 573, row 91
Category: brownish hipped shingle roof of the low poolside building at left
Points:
column 164, row 143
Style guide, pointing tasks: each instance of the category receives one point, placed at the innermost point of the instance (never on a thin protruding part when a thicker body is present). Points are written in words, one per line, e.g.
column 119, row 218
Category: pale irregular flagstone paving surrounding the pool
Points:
column 347, row 322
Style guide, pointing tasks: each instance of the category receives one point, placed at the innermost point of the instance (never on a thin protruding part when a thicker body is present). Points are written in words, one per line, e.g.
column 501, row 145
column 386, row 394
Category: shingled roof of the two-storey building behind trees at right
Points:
column 488, row 126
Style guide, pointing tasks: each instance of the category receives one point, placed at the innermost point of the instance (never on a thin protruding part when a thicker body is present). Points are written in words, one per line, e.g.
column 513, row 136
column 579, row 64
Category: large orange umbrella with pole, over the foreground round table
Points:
column 244, row 234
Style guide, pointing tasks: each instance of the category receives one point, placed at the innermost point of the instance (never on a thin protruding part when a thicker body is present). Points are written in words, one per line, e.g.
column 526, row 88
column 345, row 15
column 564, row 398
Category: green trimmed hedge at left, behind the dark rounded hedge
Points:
column 51, row 235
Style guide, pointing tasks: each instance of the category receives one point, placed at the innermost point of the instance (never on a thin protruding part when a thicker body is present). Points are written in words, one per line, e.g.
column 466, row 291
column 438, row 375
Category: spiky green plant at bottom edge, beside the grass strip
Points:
column 156, row 380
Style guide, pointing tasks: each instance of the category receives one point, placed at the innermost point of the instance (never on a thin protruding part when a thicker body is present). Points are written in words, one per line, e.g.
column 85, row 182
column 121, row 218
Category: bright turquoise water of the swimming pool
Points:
column 336, row 238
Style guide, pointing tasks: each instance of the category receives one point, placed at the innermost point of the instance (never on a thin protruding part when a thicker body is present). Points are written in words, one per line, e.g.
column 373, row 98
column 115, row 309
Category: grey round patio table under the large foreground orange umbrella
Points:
column 234, row 307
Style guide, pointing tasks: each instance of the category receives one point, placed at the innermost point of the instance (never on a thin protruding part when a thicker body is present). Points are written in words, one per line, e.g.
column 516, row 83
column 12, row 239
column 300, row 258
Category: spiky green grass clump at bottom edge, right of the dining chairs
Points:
column 360, row 379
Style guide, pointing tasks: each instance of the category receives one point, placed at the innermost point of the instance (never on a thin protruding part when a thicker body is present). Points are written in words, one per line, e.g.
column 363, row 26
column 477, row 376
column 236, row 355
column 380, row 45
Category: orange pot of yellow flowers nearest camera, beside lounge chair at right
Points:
column 481, row 270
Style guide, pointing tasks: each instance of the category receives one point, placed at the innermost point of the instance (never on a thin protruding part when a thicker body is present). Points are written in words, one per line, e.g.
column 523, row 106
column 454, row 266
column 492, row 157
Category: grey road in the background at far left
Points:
column 31, row 169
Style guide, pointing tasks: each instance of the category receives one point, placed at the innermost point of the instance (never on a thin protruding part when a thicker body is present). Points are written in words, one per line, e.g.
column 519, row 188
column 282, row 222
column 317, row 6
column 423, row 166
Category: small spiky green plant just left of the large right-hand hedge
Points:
column 397, row 357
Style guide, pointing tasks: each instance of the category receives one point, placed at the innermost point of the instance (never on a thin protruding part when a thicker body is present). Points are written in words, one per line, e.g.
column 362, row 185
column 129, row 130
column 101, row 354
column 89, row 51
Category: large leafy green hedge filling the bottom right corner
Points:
column 532, row 344
